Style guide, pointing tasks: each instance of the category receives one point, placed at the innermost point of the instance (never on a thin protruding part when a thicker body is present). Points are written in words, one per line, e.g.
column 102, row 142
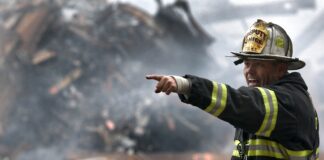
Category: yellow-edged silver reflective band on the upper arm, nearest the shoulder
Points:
column 271, row 112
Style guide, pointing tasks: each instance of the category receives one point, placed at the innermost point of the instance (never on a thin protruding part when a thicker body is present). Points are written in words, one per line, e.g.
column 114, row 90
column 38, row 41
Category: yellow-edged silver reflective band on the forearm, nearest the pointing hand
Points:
column 218, row 99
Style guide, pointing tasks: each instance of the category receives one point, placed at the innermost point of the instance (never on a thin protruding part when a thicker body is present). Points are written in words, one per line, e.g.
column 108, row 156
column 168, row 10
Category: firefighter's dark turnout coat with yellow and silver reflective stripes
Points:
column 277, row 121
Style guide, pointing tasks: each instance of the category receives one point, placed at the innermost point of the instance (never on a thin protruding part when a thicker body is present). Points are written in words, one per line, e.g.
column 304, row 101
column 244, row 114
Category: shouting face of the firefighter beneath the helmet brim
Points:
column 261, row 72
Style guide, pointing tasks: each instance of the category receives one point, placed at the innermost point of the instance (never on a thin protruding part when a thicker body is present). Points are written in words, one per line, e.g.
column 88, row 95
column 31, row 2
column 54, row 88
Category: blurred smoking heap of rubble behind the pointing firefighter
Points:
column 72, row 81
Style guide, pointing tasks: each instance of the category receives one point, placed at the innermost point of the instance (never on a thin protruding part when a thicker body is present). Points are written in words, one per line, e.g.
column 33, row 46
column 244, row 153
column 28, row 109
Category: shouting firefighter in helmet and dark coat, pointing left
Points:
column 273, row 115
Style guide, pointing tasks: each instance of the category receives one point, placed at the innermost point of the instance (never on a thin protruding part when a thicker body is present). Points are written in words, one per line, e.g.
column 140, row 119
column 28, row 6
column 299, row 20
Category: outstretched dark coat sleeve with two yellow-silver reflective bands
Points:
column 254, row 109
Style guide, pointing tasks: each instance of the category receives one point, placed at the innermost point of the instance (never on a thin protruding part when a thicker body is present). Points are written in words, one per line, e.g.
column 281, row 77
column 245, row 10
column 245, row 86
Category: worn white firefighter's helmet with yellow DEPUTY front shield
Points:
column 268, row 41
